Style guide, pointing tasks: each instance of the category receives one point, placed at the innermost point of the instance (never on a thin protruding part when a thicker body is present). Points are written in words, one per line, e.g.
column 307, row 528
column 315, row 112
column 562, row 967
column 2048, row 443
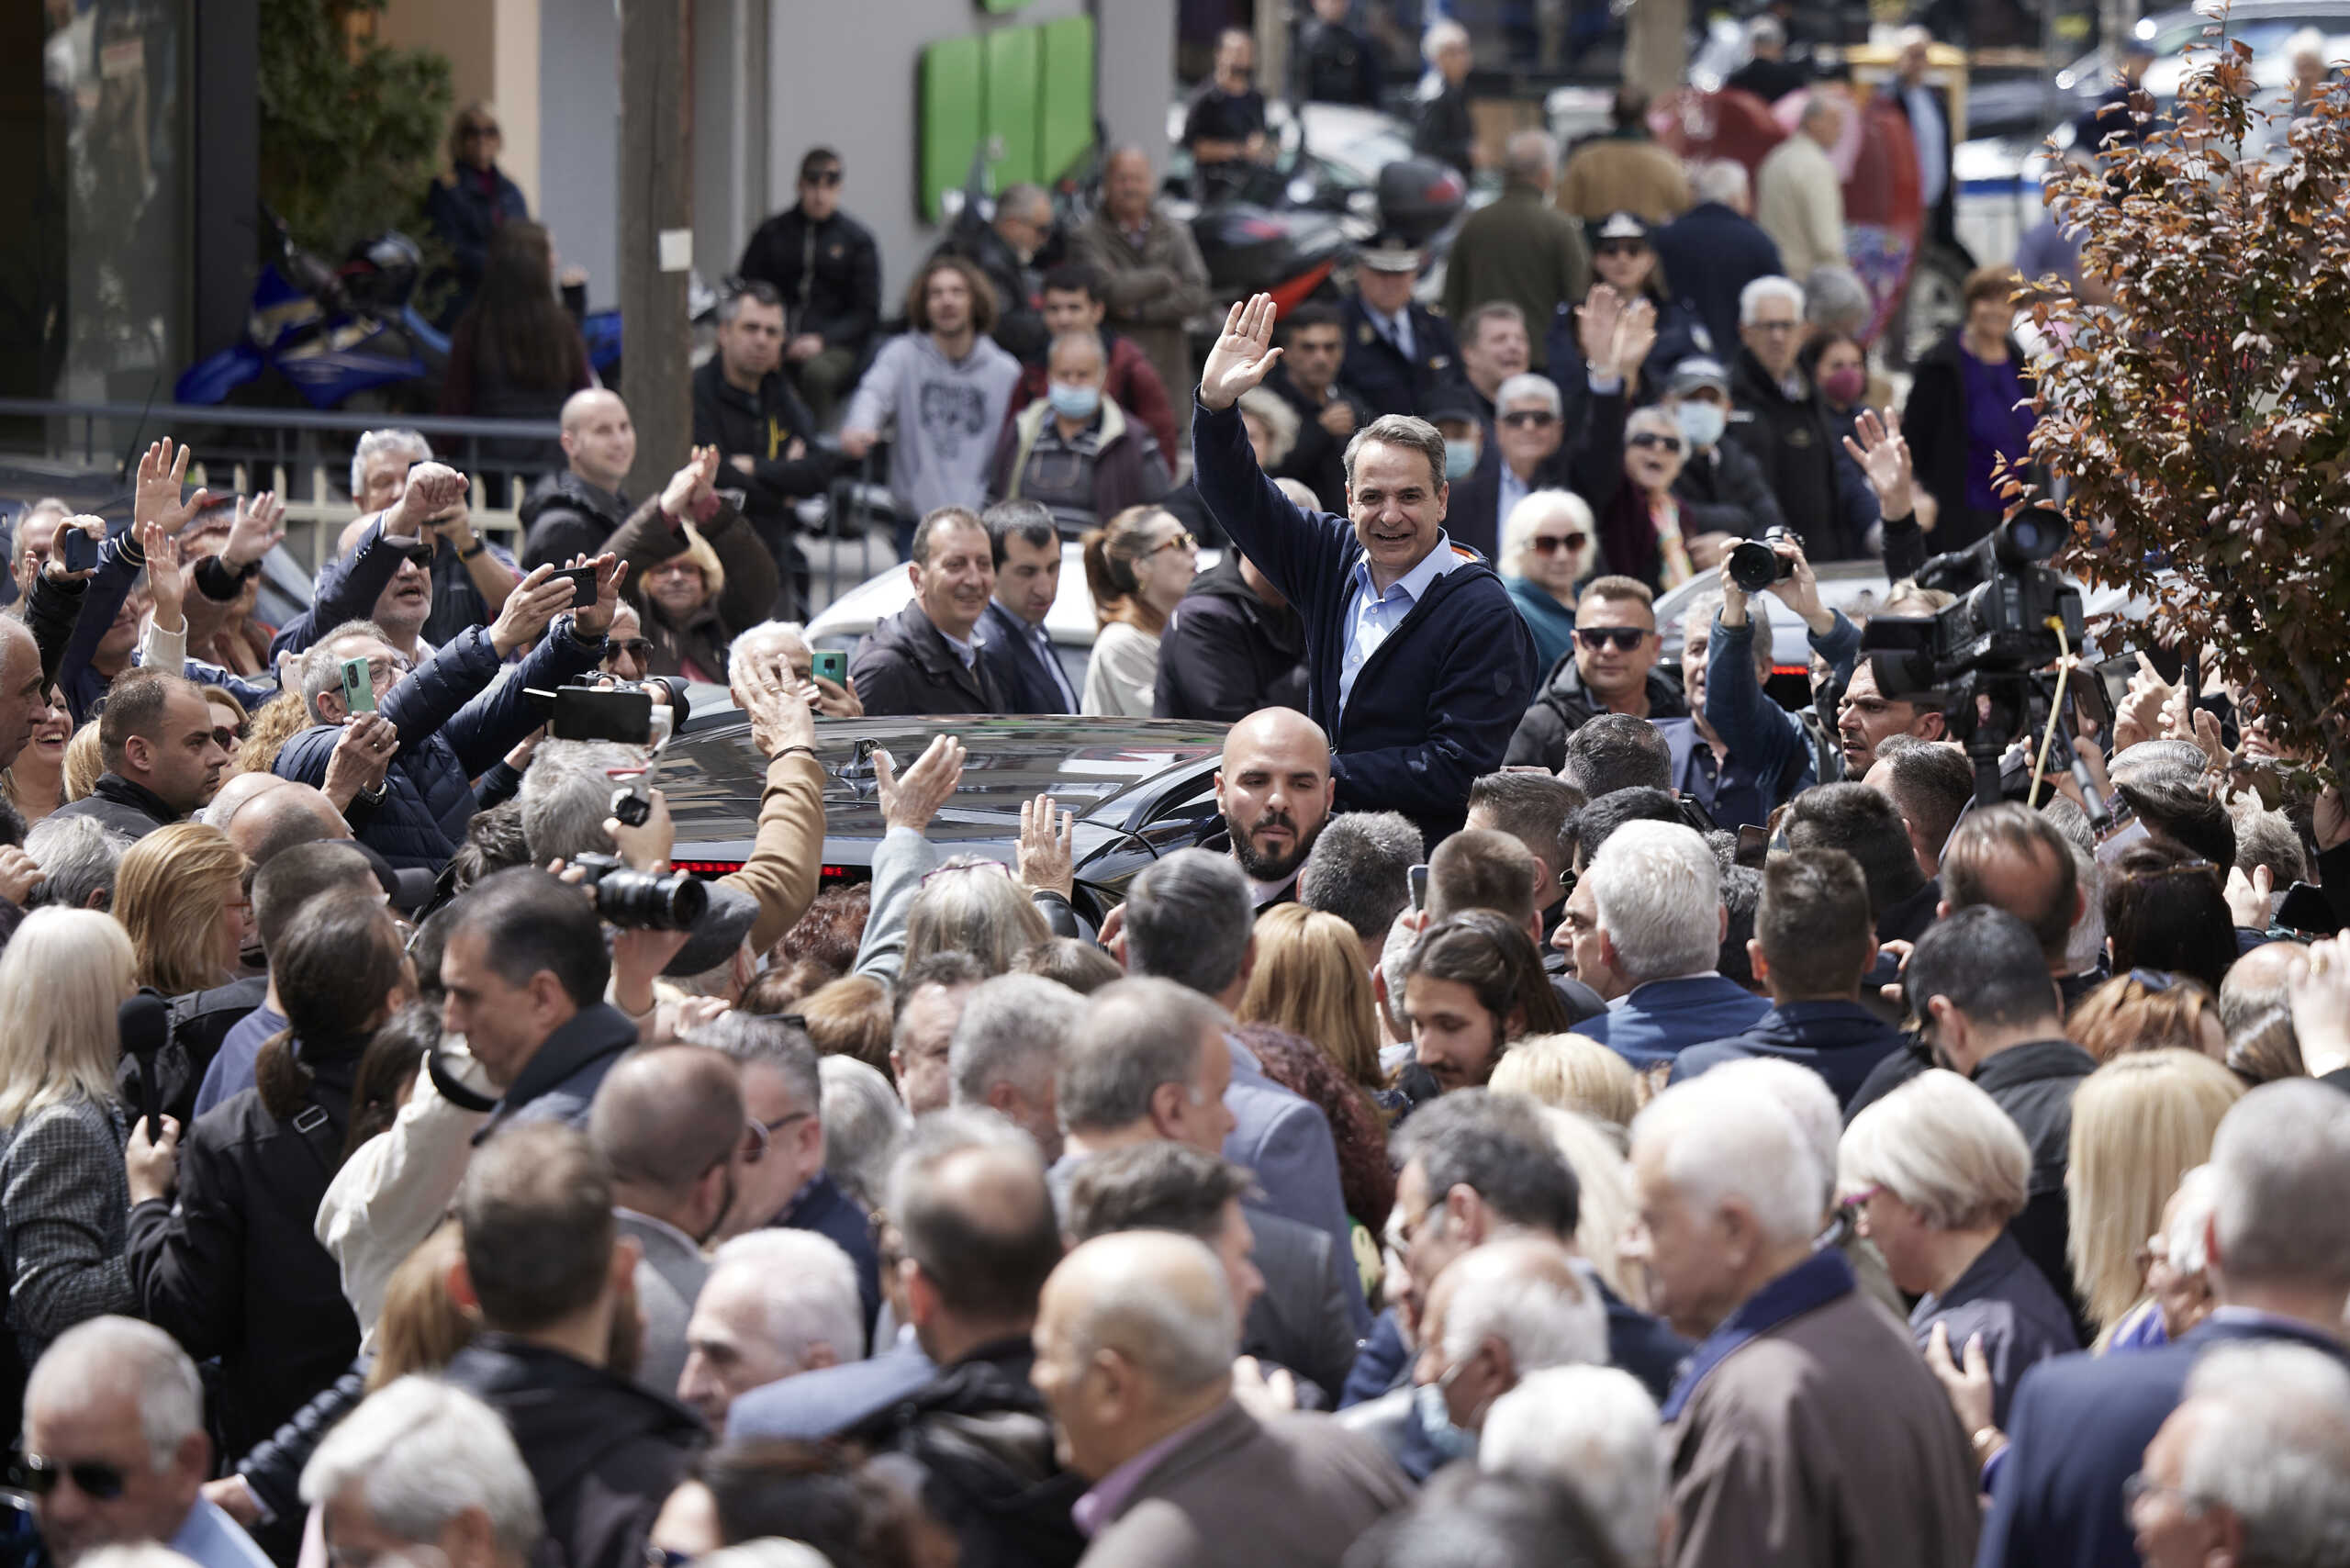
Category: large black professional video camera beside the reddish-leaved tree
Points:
column 1985, row 652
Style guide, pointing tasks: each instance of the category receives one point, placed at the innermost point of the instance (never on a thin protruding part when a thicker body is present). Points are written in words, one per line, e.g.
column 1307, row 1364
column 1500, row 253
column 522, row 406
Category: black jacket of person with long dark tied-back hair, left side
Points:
column 234, row 1268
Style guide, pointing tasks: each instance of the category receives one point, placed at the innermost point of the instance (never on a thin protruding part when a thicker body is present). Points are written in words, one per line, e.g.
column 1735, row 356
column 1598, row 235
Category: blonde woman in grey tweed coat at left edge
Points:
column 65, row 1198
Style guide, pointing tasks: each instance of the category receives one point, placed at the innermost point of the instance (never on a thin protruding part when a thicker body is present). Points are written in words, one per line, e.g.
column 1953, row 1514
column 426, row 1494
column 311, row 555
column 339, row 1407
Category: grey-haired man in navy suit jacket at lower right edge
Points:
column 2278, row 1266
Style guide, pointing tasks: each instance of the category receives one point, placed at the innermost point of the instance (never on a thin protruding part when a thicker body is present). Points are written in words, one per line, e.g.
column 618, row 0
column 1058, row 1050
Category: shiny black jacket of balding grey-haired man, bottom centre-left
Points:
column 983, row 1445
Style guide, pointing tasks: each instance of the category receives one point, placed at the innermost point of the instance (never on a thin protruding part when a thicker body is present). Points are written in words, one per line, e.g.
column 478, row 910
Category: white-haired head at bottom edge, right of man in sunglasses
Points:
column 424, row 1470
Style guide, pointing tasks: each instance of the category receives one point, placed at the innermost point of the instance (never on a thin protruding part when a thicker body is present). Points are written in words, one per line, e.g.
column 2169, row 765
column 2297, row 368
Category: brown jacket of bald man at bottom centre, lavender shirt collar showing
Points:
column 1247, row 1494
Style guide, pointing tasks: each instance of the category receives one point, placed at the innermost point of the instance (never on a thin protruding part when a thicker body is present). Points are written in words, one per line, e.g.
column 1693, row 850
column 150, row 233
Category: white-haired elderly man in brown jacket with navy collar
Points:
column 1806, row 1428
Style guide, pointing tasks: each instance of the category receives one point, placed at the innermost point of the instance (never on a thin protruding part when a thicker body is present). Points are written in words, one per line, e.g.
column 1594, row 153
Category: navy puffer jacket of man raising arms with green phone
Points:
column 450, row 732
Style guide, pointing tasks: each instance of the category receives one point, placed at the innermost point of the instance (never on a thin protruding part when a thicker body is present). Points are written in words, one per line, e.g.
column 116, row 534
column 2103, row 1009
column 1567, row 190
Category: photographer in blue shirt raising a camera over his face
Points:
column 1764, row 753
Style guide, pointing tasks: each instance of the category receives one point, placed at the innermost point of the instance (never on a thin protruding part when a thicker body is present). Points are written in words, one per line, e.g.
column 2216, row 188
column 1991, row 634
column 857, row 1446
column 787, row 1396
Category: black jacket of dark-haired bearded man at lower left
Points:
column 603, row 1452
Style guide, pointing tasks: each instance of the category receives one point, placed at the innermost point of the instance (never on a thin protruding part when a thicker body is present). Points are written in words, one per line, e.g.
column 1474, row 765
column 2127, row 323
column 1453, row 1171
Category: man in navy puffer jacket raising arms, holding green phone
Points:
column 431, row 737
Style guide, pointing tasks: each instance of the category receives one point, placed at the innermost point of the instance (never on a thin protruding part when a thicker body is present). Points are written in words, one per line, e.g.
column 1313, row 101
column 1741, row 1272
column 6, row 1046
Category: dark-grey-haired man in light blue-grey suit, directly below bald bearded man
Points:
column 1190, row 920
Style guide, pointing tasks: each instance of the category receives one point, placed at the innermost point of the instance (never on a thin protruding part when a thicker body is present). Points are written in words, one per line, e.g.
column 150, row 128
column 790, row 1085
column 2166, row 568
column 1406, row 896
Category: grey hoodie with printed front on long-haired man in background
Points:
column 948, row 417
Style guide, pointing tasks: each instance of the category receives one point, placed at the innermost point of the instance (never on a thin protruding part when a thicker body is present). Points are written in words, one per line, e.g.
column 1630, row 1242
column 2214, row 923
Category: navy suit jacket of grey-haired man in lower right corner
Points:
column 2081, row 1428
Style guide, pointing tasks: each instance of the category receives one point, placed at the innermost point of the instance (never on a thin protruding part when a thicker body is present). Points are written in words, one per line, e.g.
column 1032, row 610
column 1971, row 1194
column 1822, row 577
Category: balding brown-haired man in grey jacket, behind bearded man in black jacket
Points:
column 671, row 1127
